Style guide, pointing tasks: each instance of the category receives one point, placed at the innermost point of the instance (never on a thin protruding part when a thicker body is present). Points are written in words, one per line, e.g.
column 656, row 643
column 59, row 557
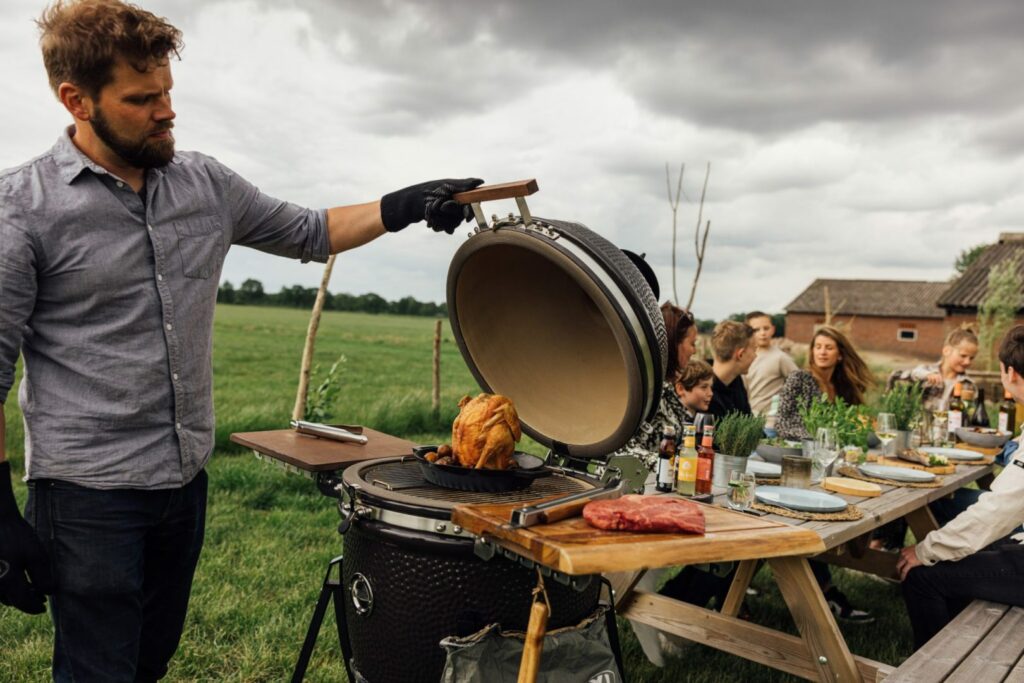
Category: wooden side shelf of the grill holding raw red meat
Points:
column 574, row 547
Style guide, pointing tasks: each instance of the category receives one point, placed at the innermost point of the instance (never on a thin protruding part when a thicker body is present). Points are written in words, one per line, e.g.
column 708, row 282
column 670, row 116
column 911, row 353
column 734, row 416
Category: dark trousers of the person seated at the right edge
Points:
column 935, row 595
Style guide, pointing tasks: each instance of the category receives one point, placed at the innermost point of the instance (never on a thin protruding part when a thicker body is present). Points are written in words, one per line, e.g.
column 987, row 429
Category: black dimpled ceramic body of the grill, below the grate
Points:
column 408, row 587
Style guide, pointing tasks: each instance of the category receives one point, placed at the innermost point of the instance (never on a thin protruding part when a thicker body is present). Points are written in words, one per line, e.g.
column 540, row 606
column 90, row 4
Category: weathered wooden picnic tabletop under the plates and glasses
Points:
column 894, row 503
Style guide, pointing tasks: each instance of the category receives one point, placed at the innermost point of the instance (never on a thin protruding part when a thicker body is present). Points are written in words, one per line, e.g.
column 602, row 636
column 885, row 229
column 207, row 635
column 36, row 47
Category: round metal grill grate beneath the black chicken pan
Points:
column 405, row 478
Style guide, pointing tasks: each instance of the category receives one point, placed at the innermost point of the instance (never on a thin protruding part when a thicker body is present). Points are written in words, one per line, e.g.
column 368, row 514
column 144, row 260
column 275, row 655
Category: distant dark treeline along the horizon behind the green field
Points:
column 251, row 293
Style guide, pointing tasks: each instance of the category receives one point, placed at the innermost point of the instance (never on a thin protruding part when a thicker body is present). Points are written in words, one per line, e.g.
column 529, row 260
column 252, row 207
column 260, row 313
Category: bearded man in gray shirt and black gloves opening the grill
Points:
column 111, row 250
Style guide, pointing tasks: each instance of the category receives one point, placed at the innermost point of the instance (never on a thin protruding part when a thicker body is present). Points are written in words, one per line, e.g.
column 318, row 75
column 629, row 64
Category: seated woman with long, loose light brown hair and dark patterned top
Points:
column 834, row 369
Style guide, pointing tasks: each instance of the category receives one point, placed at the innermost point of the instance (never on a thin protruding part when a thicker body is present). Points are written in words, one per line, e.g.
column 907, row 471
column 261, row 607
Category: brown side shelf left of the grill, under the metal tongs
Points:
column 319, row 455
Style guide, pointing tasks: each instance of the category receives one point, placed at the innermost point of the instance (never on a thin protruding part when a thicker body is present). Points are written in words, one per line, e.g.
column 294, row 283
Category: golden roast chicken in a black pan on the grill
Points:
column 483, row 456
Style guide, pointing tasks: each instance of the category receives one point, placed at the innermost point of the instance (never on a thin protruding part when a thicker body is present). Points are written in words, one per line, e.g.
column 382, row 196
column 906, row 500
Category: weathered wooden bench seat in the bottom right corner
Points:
column 985, row 645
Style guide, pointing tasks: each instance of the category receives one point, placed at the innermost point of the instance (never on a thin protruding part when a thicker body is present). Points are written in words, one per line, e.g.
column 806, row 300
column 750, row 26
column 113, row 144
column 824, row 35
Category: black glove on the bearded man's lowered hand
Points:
column 21, row 553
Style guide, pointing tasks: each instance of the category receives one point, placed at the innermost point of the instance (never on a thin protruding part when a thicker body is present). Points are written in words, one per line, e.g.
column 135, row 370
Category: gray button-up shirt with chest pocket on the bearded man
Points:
column 111, row 302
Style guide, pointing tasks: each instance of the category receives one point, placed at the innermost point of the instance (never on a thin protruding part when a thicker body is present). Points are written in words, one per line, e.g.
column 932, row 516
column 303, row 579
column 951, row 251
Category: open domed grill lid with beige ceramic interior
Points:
column 561, row 321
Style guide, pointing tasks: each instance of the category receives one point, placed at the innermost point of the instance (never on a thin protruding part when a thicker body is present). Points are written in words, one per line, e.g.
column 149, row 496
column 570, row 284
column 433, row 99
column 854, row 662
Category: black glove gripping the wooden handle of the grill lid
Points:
column 429, row 200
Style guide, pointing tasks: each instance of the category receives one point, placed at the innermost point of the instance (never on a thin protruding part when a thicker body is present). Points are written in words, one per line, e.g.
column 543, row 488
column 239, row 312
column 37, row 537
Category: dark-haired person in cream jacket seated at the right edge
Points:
column 975, row 557
